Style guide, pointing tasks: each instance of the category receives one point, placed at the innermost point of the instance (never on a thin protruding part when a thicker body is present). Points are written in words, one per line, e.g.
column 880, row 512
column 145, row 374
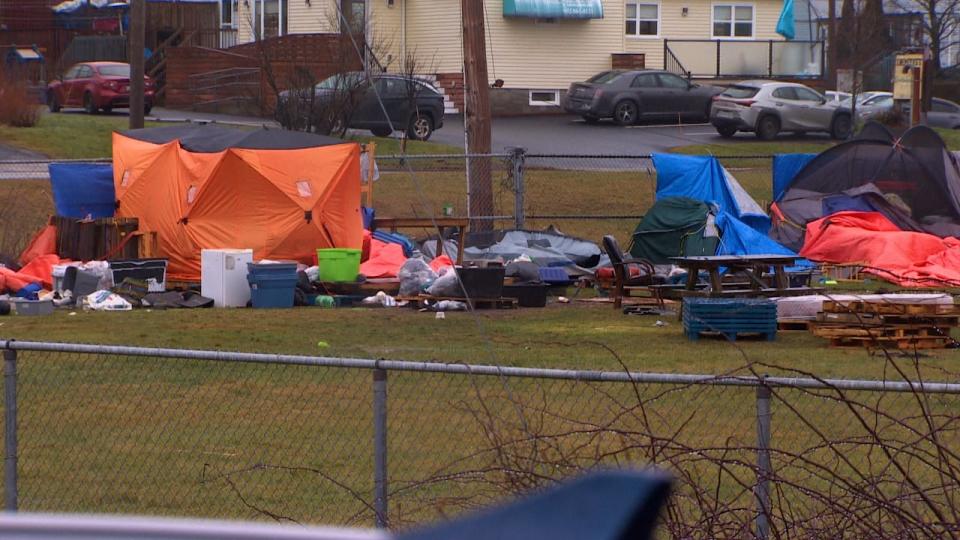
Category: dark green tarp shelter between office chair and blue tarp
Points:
column 673, row 227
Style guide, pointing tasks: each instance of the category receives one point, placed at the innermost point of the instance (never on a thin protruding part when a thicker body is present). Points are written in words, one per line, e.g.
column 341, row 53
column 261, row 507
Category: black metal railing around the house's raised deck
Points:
column 739, row 58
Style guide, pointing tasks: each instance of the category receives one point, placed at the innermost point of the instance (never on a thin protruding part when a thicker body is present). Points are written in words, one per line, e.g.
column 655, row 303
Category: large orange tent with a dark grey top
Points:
column 283, row 194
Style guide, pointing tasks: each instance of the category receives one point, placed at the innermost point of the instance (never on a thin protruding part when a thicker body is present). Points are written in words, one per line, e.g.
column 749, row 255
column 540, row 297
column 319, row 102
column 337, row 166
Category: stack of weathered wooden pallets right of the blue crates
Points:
column 886, row 325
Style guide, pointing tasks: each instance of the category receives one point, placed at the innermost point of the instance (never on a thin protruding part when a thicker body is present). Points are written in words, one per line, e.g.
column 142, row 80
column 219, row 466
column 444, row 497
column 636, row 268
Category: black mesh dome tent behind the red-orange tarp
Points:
column 913, row 180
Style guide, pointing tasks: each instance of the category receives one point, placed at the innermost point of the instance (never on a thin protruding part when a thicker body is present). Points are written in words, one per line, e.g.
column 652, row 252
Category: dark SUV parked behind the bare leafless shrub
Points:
column 419, row 118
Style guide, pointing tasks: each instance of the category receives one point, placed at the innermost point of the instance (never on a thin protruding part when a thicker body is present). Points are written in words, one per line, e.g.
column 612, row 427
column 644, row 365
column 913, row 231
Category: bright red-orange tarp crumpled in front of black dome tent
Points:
column 871, row 240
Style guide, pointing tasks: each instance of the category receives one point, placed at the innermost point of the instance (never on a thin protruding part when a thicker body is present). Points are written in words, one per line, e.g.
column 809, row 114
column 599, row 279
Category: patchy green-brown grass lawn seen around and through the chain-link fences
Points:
column 135, row 435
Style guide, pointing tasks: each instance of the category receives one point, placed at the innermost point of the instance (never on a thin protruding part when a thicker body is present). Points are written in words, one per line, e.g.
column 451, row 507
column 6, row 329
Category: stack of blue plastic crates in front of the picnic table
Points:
column 730, row 317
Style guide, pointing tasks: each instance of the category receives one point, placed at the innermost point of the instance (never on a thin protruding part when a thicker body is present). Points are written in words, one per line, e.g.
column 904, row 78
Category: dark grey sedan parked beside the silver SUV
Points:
column 627, row 96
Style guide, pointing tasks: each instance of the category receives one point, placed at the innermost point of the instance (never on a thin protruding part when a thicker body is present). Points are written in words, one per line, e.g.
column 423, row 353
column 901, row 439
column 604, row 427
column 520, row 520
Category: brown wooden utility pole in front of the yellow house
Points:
column 476, row 114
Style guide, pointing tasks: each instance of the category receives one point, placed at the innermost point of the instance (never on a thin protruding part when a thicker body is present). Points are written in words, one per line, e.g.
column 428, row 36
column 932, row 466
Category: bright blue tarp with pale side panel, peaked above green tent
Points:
column 704, row 179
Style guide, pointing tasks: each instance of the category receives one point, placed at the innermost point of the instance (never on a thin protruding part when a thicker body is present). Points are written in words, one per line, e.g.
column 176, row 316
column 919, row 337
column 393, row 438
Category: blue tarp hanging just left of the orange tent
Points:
column 82, row 189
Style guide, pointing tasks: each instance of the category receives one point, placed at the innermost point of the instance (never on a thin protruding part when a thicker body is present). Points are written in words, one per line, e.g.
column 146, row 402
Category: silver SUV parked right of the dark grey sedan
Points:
column 768, row 107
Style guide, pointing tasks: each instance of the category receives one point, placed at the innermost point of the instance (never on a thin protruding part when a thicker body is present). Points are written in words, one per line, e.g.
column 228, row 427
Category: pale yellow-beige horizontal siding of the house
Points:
column 527, row 53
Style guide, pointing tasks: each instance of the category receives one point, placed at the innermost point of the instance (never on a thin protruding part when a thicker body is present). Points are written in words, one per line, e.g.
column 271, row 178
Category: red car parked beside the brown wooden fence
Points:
column 96, row 86
